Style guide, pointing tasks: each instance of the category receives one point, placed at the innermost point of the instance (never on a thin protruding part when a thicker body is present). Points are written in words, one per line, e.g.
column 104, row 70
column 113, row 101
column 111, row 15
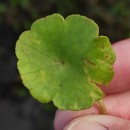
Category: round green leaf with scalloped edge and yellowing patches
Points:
column 61, row 60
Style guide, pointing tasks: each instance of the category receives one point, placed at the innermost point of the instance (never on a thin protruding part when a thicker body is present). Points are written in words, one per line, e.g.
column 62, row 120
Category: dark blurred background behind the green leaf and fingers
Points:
column 18, row 110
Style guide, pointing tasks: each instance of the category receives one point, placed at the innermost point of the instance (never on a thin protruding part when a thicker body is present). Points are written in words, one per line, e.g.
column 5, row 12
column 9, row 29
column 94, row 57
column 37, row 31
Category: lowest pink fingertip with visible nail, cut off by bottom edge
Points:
column 98, row 122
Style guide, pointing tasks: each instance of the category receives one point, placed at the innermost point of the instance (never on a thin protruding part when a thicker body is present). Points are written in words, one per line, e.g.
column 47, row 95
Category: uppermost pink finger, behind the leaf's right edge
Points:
column 121, row 80
